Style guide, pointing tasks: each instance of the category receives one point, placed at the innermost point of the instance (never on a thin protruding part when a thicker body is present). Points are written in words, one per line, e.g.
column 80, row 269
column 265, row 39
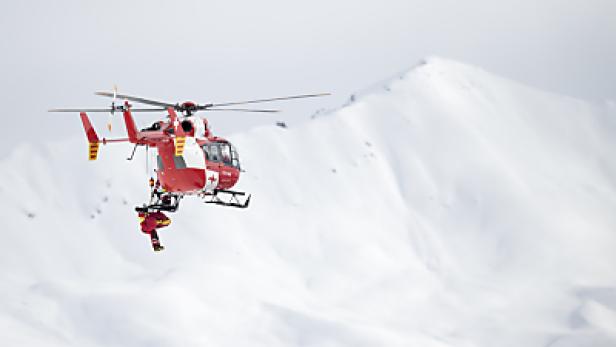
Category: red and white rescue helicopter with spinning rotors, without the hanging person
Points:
column 191, row 160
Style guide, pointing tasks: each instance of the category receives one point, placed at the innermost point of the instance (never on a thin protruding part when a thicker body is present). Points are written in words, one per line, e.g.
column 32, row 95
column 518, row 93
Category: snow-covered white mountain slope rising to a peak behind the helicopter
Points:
column 447, row 207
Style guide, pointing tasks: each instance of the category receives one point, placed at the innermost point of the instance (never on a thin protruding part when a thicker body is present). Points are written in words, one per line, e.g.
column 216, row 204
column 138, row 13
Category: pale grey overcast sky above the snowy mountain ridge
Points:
column 57, row 53
